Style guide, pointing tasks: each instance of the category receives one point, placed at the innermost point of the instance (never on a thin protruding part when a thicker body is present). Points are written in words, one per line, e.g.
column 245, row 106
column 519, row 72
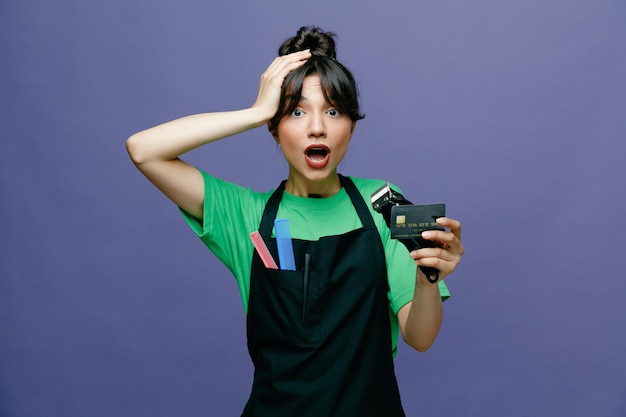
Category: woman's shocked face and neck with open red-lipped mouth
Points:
column 314, row 139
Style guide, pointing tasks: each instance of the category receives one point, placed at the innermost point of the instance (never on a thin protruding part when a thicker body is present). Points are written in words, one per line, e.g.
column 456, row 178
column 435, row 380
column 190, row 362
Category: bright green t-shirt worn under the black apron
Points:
column 232, row 212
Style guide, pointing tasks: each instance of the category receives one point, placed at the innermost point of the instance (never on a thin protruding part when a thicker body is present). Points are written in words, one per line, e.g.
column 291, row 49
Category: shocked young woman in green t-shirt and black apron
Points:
column 322, row 337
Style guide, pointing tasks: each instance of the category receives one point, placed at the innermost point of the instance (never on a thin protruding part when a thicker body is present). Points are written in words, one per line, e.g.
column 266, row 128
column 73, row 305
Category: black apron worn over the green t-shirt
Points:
column 322, row 349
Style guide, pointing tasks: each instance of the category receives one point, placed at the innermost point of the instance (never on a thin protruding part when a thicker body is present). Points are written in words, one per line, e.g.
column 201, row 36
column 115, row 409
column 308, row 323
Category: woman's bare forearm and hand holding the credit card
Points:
column 420, row 319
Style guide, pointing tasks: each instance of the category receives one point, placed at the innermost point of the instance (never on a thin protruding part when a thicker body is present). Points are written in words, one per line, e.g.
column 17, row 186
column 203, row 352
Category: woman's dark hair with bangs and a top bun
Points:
column 338, row 84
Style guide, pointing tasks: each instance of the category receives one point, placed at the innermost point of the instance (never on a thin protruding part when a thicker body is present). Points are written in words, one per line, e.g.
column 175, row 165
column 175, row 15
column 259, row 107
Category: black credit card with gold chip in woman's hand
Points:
column 409, row 221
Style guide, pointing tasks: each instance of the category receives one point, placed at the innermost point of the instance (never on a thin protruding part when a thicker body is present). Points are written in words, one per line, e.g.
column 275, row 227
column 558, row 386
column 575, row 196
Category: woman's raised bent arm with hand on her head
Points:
column 156, row 151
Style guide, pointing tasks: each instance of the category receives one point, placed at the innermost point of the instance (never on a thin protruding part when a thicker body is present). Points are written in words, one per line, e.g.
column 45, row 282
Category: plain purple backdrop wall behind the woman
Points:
column 512, row 112
